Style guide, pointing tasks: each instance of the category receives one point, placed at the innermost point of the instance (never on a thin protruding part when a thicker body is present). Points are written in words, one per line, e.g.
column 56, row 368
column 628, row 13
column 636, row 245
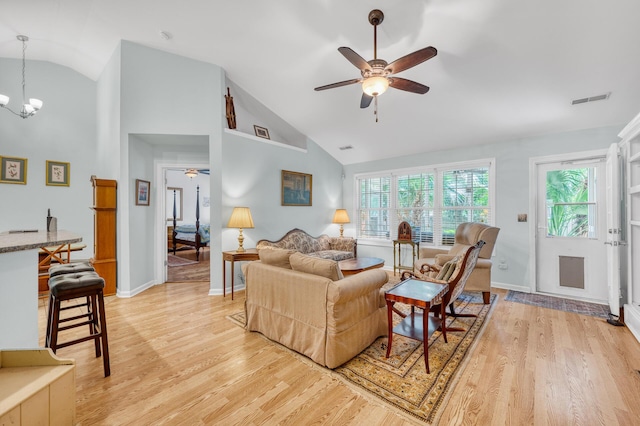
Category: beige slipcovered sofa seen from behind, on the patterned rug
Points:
column 305, row 304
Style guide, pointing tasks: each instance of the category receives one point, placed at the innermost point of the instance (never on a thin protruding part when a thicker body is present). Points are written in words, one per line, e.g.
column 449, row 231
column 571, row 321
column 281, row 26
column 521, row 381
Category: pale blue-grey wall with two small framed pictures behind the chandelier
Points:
column 64, row 130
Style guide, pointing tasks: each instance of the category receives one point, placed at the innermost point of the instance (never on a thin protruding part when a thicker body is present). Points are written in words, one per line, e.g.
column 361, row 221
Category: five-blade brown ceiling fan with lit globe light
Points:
column 377, row 74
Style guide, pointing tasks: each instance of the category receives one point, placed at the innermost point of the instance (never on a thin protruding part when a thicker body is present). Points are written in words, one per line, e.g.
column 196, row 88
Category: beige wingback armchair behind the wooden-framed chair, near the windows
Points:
column 467, row 234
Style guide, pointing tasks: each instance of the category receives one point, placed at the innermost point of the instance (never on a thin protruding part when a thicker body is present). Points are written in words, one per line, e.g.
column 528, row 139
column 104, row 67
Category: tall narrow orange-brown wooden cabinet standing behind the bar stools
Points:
column 104, row 232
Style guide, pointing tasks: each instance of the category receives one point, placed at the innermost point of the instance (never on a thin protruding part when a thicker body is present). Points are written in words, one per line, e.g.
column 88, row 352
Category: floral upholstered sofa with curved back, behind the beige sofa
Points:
column 324, row 246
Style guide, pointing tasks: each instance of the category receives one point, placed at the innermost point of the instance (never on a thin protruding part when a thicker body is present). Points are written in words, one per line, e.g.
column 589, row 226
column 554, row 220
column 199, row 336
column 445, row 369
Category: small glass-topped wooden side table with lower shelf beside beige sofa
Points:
column 418, row 326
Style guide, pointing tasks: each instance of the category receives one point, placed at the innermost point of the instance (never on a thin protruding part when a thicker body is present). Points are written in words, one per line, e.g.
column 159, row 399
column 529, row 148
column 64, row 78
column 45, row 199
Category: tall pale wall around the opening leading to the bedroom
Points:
column 148, row 79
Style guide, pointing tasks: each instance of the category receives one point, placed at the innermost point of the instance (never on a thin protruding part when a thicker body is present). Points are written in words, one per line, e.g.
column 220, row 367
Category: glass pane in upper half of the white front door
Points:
column 571, row 203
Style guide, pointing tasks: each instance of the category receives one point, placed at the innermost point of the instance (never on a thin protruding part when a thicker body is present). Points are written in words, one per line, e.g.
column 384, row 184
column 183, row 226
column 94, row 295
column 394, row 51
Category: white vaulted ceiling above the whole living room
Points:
column 505, row 69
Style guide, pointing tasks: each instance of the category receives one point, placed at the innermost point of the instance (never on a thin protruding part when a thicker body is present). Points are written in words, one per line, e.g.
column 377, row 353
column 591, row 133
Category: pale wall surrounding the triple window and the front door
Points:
column 512, row 192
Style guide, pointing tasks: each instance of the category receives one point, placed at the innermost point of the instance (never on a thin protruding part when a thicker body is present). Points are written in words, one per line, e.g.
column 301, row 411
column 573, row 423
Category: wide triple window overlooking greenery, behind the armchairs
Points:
column 433, row 200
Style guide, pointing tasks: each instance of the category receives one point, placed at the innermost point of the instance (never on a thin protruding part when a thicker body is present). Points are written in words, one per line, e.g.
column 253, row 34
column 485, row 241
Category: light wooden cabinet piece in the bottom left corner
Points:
column 37, row 388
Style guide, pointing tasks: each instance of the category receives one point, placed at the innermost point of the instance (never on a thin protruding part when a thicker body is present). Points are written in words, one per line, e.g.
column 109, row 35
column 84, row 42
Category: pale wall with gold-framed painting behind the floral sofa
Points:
column 252, row 177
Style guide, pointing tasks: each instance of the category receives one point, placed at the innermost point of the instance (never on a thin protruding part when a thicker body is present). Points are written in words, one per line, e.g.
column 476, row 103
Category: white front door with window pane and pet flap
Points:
column 571, row 258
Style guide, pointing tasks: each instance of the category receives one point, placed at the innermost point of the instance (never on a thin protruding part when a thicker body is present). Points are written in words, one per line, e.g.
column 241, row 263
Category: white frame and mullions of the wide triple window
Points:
column 437, row 170
